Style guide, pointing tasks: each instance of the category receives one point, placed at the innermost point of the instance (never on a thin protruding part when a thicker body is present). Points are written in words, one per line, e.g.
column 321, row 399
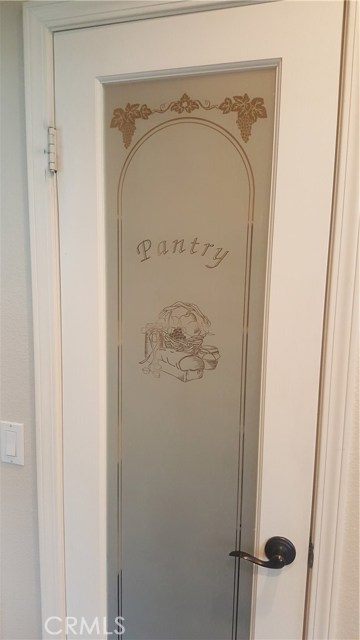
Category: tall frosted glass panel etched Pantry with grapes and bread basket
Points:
column 188, row 173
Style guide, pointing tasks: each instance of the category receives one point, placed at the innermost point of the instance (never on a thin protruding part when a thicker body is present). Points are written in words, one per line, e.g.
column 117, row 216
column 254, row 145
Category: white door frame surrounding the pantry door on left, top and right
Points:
column 41, row 20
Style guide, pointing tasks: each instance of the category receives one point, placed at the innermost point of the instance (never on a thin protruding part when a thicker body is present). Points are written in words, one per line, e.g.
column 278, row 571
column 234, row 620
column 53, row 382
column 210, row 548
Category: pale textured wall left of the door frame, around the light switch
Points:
column 19, row 557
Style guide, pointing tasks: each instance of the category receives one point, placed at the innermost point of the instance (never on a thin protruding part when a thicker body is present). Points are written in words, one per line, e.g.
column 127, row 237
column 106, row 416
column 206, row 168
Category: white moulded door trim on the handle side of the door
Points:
column 338, row 334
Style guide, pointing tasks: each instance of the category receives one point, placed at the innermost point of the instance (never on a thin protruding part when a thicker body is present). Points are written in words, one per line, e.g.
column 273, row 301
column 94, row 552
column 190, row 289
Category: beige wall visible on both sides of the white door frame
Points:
column 19, row 587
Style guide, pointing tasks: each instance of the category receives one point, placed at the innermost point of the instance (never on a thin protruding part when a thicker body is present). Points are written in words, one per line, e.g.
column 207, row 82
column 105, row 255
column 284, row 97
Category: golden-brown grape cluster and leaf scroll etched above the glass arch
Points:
column 248, row 111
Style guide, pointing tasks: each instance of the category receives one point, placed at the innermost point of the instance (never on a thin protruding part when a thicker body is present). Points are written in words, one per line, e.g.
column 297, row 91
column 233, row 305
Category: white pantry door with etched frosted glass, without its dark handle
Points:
column 196, row 158
